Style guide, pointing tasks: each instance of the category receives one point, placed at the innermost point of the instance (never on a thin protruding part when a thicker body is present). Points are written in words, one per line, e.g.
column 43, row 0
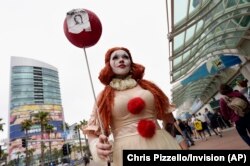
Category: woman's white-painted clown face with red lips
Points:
column 120, row 62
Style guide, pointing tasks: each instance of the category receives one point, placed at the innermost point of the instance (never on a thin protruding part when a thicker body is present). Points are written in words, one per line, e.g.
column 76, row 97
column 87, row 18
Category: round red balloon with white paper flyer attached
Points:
column 80, row 32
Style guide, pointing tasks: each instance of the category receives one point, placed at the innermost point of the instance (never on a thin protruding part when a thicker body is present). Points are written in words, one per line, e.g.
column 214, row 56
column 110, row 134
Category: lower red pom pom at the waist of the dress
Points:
column 146, row 128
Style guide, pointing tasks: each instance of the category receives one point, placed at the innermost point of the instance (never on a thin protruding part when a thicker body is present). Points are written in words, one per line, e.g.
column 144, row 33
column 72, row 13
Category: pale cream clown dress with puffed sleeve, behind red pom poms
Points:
column 124, row 125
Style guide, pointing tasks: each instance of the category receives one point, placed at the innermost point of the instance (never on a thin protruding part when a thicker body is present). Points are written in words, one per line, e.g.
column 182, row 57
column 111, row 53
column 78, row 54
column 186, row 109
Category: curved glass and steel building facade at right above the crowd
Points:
column 208, row 45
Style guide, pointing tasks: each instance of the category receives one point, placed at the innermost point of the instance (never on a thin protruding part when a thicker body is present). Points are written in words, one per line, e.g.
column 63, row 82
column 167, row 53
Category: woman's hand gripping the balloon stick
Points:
column 103, row 147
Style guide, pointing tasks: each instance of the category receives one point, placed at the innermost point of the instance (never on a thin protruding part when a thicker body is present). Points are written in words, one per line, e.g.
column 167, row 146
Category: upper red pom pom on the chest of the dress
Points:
column 136, row 105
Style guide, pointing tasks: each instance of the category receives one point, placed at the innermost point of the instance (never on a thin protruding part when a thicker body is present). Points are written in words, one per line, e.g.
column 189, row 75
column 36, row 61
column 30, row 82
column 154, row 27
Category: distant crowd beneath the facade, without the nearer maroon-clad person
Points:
column 198, row 127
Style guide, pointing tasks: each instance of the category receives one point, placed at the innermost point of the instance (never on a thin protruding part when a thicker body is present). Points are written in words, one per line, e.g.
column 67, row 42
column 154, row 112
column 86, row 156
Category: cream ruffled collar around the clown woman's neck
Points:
column 123, row 84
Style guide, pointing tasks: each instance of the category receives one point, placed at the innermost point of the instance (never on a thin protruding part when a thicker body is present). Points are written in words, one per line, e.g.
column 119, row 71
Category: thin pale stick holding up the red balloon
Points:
column 93, row 91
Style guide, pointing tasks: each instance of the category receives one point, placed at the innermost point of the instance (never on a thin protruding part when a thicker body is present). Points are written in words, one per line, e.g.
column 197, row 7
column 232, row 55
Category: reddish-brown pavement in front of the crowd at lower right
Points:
column 230, row 140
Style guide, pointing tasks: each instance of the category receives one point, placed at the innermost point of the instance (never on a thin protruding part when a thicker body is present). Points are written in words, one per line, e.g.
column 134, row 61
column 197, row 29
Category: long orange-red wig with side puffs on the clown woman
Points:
column 106, row 100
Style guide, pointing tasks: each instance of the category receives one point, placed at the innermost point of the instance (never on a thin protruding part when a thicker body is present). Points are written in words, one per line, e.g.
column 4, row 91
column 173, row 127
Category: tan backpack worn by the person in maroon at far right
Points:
column 238, row 105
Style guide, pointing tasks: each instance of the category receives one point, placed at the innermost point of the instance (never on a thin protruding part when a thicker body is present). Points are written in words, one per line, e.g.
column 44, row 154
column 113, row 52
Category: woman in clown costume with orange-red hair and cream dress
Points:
column 128, row 108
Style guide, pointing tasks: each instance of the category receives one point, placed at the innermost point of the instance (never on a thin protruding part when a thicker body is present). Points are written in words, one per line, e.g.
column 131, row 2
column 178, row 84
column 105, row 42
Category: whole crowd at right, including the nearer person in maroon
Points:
column 201, row 126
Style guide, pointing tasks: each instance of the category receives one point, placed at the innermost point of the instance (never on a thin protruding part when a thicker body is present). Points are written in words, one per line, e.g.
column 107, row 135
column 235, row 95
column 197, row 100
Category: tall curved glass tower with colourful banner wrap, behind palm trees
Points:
column 34, row 88
